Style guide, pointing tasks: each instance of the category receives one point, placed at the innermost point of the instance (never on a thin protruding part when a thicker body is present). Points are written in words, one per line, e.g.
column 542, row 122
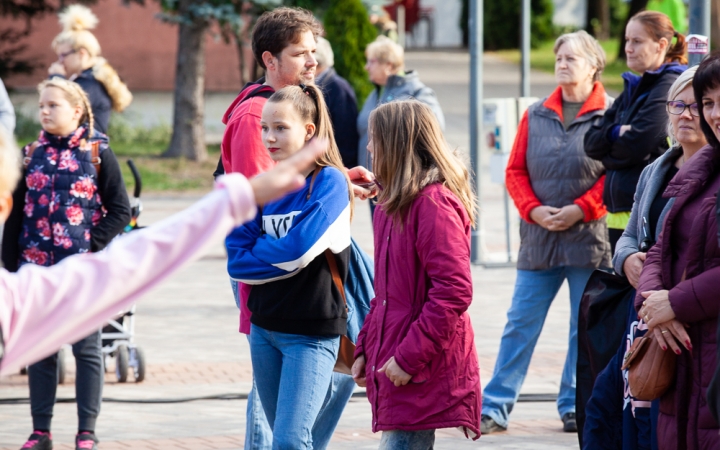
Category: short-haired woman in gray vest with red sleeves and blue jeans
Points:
column 558, row 192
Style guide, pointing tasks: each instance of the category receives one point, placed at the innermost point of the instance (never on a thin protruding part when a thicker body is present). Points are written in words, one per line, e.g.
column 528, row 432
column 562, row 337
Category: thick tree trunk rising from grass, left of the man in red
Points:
column 188, row 138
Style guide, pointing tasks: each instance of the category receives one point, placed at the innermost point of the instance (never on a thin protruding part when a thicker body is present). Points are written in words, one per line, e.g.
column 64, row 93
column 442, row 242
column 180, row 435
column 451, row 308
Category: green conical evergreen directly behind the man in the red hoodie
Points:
column 349, row 31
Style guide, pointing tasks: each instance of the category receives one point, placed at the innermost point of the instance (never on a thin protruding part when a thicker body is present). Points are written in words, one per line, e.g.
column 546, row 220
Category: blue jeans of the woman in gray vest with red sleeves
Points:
column 534, row 292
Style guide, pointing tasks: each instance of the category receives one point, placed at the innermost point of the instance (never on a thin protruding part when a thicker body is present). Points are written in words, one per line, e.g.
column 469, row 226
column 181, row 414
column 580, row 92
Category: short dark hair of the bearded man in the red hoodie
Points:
column 281, row 27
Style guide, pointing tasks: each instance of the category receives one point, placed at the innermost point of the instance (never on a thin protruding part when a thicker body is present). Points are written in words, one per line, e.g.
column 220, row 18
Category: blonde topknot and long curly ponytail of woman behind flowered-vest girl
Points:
column 77, row 21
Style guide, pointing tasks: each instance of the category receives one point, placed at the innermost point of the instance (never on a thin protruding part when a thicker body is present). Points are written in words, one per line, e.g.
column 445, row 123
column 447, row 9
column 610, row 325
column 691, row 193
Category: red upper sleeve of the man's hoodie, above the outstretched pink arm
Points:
column 242, row 147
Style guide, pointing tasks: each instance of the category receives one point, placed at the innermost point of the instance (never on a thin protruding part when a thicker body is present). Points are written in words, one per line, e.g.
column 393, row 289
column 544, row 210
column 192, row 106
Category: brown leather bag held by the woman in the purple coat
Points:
column 651, row 370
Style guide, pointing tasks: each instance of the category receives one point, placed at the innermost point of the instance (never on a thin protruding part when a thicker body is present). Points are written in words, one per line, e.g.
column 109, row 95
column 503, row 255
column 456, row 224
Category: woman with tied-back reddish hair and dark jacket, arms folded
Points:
column 633, row 133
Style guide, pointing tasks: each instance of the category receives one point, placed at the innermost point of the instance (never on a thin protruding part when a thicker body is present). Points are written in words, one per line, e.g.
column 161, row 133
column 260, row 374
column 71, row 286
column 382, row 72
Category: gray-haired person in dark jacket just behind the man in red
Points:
column 341, row 101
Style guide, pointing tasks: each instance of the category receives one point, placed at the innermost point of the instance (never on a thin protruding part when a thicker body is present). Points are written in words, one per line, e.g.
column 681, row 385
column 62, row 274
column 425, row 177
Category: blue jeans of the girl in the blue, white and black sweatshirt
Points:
column 296, row 375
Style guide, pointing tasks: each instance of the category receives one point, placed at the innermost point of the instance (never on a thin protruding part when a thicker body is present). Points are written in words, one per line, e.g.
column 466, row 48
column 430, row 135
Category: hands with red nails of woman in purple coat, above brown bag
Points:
column 657, row 313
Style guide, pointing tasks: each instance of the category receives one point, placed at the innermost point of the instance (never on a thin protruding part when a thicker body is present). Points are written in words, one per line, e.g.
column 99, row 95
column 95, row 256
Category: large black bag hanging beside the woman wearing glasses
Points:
column 601, row 326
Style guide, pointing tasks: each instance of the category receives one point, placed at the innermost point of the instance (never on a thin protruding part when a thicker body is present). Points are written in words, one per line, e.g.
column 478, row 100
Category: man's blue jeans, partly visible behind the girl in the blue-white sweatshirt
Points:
column 258, row 434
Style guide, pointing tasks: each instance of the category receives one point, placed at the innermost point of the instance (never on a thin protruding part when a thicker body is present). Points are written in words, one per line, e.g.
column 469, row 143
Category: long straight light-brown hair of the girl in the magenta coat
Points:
column 410, row 153
